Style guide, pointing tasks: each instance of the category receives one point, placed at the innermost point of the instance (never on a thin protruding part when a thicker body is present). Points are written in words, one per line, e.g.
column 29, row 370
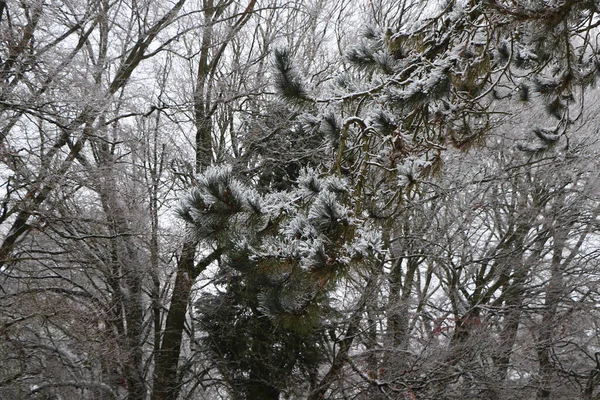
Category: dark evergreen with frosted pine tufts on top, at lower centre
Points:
column 283, row 253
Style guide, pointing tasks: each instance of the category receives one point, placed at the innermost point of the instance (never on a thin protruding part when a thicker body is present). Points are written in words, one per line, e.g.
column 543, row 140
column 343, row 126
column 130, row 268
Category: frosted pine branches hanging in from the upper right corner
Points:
column 443, row 76
